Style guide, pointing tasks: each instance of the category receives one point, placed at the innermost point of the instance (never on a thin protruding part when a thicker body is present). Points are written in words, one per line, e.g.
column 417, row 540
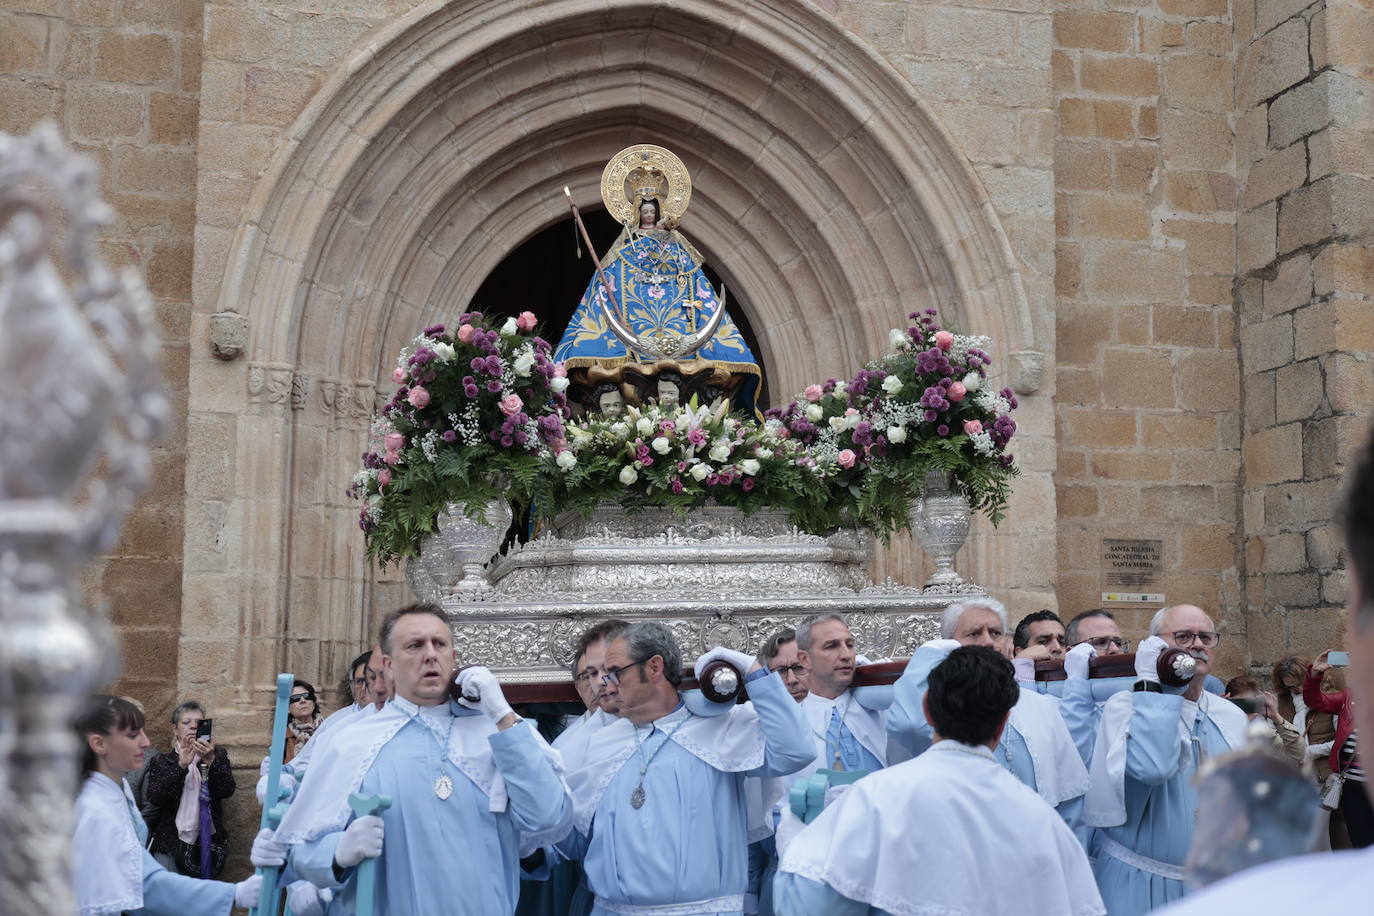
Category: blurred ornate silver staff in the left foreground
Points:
column 80, row 402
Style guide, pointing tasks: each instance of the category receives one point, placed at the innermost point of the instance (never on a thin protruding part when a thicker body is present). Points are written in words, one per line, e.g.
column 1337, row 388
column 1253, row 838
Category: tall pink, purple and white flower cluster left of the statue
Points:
column 475, row 414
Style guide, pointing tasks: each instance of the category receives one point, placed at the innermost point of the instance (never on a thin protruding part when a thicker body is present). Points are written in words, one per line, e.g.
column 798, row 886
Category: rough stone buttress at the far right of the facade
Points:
column 1305, row 106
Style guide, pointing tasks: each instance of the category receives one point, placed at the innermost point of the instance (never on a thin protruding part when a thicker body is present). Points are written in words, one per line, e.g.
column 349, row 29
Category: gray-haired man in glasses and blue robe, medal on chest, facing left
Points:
column 660, row 805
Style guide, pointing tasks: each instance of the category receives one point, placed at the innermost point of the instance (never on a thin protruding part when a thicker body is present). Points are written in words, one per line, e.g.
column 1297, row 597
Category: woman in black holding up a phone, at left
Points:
column 189, row 786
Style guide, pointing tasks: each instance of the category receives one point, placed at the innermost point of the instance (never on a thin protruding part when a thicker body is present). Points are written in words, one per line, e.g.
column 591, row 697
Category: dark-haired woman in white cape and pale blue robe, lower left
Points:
column 113, row 874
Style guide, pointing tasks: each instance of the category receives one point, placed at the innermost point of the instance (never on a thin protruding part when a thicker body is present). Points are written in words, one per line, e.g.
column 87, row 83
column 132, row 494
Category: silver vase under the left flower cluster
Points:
column 455, row 556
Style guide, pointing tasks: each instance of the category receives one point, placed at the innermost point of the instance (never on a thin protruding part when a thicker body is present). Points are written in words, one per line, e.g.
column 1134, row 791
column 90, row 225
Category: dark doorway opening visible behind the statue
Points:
column 546, row 277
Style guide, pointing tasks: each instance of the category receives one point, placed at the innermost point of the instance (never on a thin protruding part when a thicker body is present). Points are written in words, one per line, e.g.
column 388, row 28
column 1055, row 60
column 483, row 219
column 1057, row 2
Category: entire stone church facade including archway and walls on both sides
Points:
column 1162, row 211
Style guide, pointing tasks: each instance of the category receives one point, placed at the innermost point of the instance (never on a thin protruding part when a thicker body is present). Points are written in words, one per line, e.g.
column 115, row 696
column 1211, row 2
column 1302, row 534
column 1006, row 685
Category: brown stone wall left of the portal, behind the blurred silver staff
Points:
column 123, row 83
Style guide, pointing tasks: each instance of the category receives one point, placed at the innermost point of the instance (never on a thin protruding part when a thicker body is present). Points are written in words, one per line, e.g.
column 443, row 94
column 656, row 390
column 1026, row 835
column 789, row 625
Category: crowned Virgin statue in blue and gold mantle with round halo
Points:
column 648, row 322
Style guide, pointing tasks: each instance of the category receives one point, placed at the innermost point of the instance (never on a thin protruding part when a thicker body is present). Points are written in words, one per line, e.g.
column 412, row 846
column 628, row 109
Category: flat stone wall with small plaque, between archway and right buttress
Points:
column 1148, row 389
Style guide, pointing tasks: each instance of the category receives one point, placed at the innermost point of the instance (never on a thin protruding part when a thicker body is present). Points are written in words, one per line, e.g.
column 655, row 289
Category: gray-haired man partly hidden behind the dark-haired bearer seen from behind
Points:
column 1037, row 746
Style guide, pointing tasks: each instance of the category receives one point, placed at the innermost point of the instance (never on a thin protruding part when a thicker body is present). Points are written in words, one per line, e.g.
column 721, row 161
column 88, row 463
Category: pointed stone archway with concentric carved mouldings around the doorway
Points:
column 824, row 186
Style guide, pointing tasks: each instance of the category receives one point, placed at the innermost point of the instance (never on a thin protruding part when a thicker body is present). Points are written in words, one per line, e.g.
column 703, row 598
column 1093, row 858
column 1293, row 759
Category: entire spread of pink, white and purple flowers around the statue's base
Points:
column 482, row 414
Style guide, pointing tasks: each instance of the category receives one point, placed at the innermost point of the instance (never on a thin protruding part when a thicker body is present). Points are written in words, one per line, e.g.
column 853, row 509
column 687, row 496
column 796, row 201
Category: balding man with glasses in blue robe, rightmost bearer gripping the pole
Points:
column 1151, row 744
